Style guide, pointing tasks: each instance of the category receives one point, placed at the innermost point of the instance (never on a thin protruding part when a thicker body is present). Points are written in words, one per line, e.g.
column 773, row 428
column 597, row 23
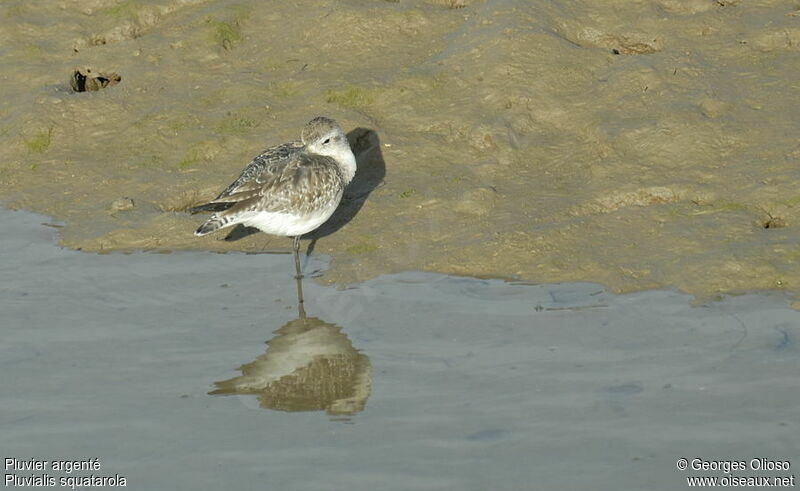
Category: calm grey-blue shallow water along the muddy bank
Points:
column 454, row 383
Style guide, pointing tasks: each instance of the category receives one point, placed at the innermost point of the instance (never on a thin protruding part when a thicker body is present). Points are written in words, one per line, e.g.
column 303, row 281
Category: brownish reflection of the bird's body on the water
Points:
column 309, row 365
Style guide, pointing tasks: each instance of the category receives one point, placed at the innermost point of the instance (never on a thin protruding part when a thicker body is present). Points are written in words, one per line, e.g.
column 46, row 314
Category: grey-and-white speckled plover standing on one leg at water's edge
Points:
column 289, row 189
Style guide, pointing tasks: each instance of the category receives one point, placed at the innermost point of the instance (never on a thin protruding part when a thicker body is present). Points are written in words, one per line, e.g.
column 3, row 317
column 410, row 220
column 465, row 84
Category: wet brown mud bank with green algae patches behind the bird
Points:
column 639, row 145
